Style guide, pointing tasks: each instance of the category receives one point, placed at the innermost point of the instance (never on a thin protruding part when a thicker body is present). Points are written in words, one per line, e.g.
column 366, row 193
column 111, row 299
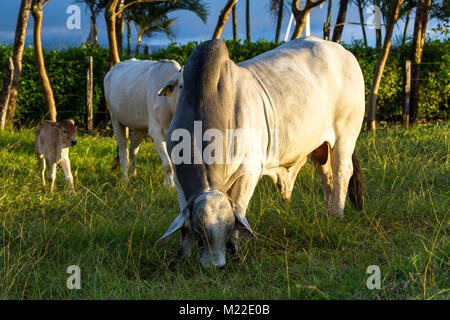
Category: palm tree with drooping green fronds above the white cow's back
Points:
column 151, row 18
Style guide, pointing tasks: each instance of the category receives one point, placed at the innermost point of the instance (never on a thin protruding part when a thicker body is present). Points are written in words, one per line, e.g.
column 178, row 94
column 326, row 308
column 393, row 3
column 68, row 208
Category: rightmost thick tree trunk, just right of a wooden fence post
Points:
column 420, row 28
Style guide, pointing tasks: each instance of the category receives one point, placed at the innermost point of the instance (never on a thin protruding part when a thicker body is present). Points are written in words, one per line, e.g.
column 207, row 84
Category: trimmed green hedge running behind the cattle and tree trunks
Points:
column 66, row 72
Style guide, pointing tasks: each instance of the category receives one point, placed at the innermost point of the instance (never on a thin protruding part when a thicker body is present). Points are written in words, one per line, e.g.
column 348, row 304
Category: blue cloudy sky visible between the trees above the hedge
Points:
column 188, row 26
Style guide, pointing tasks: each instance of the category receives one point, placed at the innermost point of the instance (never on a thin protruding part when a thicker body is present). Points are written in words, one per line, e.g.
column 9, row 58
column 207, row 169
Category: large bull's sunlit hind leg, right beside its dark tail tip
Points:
column 342, row 168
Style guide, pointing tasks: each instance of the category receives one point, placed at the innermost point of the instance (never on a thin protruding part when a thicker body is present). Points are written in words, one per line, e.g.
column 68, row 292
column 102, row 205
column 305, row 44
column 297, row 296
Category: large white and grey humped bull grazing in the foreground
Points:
column 304, row 99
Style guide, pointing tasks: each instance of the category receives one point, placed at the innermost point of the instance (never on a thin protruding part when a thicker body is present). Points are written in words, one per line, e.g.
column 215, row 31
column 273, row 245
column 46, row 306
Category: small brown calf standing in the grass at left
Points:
column 52, row 142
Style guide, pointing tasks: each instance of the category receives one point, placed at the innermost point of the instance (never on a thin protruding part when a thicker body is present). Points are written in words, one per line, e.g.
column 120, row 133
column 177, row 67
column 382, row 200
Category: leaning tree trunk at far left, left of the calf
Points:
column 19, row 41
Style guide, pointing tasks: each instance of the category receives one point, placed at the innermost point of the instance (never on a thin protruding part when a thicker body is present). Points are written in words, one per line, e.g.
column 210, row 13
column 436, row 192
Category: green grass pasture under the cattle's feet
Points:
column 109, row 228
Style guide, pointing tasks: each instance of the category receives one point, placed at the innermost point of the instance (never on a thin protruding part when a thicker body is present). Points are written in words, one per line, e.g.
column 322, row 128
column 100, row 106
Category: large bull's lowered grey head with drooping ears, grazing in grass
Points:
column 209, row 219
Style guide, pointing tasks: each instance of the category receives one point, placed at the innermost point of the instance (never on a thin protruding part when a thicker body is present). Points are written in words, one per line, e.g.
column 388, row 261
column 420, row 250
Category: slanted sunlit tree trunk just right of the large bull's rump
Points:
column 394, row 9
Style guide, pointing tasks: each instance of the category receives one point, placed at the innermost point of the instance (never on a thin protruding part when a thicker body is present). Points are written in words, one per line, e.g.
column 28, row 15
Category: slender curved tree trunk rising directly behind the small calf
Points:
column 37, row 14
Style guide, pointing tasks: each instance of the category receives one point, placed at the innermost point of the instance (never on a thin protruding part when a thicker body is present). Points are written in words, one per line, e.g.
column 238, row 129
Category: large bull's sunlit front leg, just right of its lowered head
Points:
column 240, row 194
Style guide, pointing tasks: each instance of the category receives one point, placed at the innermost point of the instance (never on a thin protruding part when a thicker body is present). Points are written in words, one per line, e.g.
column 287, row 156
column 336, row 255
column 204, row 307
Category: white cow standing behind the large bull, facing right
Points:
column 132, row 91
